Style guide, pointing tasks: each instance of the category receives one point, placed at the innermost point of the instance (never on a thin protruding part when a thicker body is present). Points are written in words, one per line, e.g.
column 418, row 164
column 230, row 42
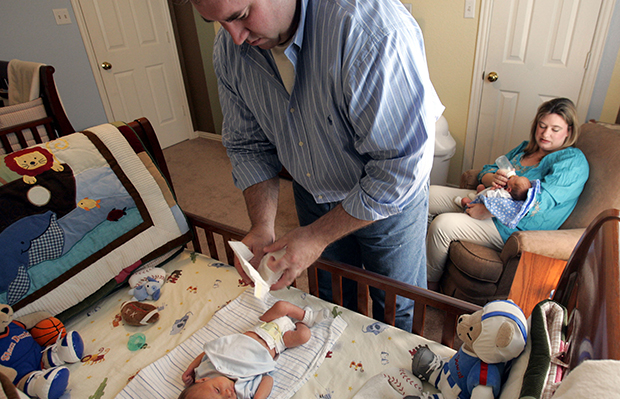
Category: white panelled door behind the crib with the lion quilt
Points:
column 134, row 49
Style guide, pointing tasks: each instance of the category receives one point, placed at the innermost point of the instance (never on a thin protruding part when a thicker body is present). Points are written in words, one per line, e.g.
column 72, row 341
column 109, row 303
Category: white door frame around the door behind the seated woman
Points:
column 482, row 43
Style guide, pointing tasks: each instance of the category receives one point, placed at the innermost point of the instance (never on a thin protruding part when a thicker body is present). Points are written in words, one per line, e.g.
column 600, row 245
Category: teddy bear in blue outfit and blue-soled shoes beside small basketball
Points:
column 38, row 372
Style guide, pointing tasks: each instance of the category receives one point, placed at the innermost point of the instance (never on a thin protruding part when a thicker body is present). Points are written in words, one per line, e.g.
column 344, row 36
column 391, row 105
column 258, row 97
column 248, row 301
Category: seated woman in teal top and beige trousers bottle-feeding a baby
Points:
column 548, row 156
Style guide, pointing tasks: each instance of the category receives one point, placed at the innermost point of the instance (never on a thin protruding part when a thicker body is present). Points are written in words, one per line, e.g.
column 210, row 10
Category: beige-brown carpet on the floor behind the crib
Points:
column 202, row 180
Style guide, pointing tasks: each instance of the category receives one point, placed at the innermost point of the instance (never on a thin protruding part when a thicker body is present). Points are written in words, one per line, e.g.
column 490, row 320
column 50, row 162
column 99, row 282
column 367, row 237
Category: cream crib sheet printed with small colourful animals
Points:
column 197, row 286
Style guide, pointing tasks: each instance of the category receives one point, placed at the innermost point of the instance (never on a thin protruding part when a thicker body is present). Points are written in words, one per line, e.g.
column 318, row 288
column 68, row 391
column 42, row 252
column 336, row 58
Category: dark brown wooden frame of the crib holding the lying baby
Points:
column 589, row 287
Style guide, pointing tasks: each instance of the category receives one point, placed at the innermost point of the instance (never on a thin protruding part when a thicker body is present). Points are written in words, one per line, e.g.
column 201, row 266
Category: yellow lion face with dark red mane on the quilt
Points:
column 31, row 162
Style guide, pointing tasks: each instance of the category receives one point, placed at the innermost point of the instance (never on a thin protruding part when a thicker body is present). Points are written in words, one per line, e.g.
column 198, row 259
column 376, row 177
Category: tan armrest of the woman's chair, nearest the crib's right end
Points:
column 558, row 244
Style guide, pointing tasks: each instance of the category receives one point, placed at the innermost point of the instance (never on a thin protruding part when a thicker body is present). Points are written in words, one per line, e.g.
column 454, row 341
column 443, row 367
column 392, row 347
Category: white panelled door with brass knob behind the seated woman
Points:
column 538, row 50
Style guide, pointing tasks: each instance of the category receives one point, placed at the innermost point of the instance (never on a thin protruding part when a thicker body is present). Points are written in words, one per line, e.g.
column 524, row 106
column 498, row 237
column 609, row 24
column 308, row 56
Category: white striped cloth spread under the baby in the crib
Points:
column 162, row 379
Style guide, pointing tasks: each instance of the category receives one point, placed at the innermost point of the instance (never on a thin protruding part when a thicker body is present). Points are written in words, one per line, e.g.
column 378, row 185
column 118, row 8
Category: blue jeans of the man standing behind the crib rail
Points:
column 393, row 247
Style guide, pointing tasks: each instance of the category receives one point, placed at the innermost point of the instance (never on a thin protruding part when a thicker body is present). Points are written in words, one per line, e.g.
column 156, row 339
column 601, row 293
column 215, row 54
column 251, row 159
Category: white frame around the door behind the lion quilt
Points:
column 94, row 64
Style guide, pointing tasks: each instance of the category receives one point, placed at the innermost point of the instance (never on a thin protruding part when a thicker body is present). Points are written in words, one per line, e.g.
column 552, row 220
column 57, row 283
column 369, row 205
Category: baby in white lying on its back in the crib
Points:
column 239, row 365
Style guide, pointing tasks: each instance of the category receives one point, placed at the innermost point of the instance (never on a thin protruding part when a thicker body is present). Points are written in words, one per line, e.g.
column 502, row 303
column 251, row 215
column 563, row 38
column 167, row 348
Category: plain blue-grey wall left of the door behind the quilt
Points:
column 29, row 32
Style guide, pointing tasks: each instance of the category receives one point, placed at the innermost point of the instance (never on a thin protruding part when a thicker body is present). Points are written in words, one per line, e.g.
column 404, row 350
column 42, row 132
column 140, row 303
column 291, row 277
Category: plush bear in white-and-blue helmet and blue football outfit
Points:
column 491, row 337
